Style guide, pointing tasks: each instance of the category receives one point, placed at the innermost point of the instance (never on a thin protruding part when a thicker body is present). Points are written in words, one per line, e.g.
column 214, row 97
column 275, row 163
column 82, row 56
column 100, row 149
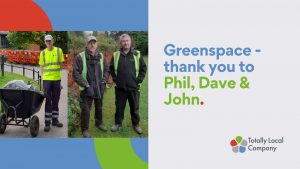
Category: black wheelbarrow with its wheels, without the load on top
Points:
column 19, row 108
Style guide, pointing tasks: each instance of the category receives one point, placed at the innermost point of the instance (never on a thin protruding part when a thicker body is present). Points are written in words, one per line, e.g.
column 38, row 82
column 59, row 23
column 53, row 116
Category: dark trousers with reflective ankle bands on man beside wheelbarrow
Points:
column 52, row 94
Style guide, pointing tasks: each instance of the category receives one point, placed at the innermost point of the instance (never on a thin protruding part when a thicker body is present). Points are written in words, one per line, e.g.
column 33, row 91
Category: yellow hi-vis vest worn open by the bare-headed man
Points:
column 136, row 56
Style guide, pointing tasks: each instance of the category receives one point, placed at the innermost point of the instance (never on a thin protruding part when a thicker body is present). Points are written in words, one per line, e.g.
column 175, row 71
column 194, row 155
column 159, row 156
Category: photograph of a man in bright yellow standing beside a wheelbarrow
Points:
column 33, row 84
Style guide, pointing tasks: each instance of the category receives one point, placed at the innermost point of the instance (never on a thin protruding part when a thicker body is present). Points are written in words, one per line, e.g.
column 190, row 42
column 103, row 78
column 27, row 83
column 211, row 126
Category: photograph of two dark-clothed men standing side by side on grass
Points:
column 108, row 84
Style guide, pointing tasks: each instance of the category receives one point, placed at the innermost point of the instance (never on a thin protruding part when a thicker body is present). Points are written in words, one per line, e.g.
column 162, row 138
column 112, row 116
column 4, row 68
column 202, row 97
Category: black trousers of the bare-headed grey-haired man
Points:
column 133, row 97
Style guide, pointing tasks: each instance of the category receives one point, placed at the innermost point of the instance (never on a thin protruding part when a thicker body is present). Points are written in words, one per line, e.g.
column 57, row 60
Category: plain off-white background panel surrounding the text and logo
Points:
column 194, row 137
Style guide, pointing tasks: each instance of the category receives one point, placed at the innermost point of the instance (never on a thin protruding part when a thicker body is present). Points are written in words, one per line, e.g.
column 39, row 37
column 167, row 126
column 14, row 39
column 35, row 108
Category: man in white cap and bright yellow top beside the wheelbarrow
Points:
column 51, row 60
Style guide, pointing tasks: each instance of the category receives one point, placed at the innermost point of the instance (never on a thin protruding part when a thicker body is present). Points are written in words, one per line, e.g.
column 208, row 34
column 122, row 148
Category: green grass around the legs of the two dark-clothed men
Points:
column 109, row 113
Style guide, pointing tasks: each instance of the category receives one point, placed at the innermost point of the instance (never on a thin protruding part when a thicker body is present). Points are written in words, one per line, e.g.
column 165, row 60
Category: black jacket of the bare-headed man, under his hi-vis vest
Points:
column 126, row 78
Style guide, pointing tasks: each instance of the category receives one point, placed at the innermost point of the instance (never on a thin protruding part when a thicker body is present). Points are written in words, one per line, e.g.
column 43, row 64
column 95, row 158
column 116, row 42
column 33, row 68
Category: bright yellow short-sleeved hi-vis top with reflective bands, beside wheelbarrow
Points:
column 51, row 61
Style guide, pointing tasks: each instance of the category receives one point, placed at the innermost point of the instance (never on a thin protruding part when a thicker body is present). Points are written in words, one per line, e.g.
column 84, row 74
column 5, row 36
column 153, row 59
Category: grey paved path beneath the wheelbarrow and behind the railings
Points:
column 17, row 131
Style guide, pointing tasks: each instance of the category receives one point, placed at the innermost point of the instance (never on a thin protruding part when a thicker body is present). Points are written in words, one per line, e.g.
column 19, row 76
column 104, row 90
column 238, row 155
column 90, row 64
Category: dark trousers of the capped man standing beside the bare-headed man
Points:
column 85, row 105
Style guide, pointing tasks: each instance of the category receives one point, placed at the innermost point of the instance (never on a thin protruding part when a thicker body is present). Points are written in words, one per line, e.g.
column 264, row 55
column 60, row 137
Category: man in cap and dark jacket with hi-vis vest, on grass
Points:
column 90, row 73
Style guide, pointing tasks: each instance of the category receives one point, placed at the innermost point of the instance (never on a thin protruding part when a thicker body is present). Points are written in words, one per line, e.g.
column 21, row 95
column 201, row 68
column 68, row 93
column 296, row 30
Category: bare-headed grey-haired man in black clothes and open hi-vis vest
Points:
column 128, row 71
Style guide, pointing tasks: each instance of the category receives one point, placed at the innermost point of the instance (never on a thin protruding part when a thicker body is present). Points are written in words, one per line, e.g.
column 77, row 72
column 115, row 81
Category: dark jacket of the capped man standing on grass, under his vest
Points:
column 94, row 75
